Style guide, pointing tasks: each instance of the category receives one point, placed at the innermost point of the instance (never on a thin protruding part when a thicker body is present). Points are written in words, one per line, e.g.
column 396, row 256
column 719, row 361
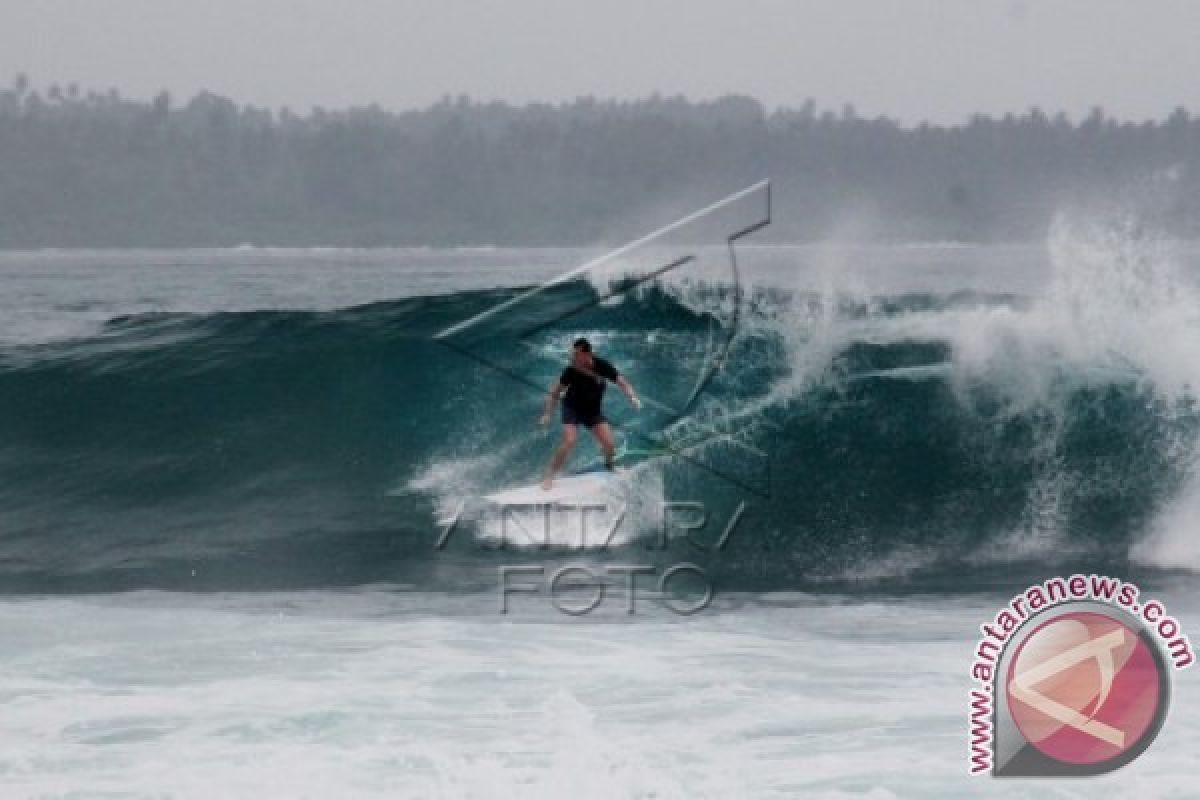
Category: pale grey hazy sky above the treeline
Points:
column 910, row 59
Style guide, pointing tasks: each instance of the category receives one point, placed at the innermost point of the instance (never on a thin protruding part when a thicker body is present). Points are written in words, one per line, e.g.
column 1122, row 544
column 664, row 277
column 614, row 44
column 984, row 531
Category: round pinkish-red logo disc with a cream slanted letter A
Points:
column 1085, row 689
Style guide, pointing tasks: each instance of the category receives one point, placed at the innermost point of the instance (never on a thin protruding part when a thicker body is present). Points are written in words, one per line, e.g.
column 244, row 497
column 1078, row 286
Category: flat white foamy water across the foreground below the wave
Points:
column 380, row 695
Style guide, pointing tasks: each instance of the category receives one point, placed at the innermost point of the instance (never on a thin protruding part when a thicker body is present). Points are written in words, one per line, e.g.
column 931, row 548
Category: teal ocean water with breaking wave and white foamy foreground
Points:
column 242, row 552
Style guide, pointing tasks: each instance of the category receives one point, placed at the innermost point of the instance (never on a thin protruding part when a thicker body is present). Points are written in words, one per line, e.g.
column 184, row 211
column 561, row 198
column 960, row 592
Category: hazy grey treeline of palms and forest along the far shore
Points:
column 95, row 170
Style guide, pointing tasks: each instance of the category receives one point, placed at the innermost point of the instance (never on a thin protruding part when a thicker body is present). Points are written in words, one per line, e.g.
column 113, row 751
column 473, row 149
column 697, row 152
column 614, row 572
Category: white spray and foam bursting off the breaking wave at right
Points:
column 1118, row 305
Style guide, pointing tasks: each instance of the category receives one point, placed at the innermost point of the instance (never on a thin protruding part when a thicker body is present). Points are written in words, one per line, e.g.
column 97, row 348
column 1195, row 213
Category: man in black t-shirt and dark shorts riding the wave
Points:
column 584, row 381
